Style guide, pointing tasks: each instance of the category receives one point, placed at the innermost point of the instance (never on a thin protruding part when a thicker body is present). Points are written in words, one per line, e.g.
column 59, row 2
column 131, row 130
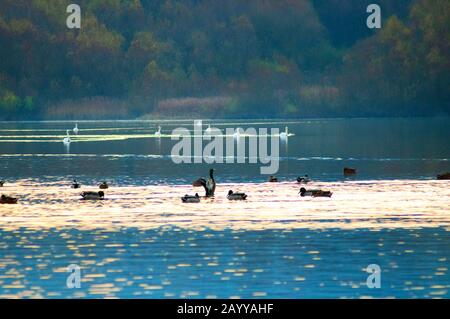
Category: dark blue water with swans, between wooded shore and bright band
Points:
column 379, row 148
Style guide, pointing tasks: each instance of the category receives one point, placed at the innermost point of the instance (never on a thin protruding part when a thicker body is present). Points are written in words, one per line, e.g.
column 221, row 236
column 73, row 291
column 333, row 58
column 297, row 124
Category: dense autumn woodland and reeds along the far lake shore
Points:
column 223, row 58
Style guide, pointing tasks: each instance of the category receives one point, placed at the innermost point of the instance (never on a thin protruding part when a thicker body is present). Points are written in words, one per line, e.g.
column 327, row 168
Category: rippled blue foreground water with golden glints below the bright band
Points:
column 270, row 263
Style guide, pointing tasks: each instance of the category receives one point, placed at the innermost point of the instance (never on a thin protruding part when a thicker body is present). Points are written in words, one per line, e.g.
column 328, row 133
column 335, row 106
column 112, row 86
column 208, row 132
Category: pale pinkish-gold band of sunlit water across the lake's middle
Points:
column 355, row 204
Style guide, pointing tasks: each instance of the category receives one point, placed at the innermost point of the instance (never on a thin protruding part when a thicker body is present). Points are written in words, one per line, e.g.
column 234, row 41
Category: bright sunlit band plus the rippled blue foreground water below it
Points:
column 143, row 242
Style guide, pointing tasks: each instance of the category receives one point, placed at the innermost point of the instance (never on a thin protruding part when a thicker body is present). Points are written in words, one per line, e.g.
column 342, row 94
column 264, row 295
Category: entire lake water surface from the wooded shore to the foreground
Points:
column 141, row 241
